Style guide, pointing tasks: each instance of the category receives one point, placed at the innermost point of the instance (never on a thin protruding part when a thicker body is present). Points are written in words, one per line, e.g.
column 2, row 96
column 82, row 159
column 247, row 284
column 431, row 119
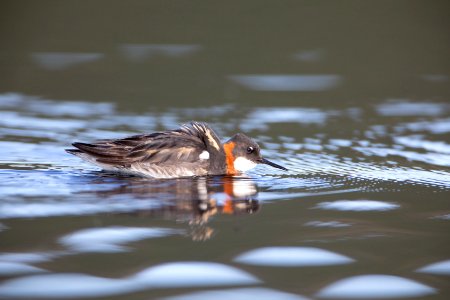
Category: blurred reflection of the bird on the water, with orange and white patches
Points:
column 191, row 200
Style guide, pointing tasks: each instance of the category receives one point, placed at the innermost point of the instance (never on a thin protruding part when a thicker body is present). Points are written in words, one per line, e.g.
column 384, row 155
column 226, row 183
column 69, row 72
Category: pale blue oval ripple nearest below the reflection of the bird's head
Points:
column 292, row 257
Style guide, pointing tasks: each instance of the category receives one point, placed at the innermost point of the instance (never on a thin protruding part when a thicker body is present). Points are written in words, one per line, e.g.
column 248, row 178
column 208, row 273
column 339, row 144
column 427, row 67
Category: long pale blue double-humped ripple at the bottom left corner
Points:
column 170, row 275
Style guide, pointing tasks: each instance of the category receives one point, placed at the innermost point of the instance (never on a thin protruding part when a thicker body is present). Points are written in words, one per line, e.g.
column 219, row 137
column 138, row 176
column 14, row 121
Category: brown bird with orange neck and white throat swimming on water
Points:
column 192, row 150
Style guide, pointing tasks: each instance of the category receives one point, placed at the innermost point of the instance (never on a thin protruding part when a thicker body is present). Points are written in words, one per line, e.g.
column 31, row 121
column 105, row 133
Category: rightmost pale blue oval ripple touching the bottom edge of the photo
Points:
column 375, row 287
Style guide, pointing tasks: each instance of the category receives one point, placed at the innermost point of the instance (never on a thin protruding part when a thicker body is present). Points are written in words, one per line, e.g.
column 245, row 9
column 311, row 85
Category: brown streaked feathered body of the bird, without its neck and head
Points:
column 186, row 151
